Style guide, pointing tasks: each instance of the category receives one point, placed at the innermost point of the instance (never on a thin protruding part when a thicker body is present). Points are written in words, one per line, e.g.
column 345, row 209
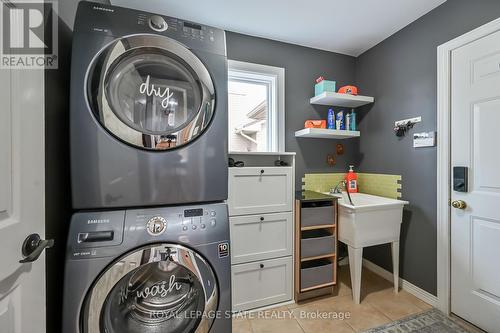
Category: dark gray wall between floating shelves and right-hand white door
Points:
column 401, row 73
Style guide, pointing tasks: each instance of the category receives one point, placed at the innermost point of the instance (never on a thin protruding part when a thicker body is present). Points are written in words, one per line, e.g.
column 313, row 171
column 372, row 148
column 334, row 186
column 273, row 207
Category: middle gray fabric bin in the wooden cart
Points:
column 316, row 243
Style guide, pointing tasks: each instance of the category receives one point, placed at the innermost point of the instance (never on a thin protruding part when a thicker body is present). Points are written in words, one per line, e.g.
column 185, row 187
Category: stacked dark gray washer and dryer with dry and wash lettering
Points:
column 148, row 248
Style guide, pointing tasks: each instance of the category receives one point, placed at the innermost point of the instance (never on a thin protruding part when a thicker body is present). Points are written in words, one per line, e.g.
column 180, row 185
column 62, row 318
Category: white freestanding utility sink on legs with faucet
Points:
column 370, row 220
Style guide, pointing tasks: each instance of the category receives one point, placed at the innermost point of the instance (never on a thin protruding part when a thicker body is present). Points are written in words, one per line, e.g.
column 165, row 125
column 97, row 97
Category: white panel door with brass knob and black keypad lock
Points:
column 475, row 230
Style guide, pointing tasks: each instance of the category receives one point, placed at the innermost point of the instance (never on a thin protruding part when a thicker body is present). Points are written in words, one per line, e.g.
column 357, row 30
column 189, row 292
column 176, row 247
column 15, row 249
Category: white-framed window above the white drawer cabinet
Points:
column 256, row 108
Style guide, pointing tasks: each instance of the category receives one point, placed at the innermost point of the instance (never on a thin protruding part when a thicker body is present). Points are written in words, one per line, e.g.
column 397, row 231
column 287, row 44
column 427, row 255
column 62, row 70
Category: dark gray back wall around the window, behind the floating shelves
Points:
column 302, row 66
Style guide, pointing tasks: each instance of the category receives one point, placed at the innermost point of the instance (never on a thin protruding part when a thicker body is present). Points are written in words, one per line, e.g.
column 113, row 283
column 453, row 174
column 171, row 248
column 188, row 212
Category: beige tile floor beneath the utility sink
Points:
column 379, row 306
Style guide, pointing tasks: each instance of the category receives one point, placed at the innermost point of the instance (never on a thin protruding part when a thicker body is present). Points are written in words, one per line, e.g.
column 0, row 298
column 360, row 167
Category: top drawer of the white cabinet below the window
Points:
column 256, row 190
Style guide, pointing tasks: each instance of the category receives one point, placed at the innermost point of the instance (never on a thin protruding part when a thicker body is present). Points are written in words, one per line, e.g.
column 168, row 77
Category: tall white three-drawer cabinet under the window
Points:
column 262, row 229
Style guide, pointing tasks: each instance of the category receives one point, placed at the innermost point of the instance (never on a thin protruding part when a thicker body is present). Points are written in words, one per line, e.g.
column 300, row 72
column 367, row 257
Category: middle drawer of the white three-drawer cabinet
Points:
column 259, row 237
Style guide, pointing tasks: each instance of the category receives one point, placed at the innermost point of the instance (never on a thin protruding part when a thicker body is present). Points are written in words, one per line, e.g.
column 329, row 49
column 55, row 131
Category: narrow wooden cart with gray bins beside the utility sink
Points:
column 315, row 267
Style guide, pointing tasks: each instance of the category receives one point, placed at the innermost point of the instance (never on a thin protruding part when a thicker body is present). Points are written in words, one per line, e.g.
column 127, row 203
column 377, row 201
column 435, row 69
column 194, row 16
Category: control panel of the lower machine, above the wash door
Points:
column 106, row 233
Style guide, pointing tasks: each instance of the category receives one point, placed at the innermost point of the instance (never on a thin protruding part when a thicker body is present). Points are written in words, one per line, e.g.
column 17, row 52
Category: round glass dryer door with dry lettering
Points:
column 151, row 92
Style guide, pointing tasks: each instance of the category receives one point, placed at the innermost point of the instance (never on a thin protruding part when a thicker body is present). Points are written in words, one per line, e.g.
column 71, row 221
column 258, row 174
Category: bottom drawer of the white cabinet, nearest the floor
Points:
column 261, row 283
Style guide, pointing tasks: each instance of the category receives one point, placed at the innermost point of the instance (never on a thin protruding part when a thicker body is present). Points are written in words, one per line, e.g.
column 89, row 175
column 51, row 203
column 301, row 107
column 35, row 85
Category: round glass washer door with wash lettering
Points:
column 159, row 288
